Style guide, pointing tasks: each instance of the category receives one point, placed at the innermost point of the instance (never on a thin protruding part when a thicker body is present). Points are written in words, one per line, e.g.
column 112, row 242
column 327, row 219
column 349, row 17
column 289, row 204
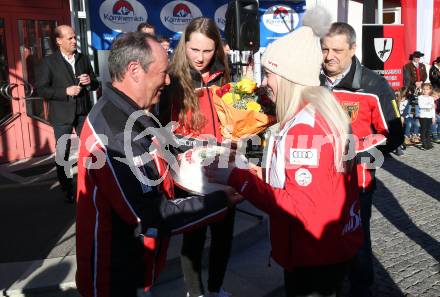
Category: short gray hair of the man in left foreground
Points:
column 126, row 48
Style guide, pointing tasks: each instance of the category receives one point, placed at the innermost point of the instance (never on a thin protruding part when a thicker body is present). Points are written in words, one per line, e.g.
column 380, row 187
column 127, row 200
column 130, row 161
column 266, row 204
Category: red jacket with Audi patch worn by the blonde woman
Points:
column 313, row 209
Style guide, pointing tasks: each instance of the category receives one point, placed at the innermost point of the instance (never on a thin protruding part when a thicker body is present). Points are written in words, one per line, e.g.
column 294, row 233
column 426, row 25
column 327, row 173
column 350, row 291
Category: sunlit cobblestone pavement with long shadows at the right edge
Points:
column 405, row 225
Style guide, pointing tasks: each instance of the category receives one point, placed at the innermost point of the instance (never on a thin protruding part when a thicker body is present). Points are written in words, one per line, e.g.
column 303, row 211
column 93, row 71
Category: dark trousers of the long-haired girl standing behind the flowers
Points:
column 220, row 250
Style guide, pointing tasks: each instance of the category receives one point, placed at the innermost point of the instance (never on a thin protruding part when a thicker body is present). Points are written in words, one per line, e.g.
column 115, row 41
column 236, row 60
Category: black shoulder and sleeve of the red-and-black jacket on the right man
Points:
column 364, row 80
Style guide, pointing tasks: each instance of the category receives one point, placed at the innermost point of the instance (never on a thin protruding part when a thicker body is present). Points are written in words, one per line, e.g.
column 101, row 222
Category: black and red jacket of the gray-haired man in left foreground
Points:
column 123, row 222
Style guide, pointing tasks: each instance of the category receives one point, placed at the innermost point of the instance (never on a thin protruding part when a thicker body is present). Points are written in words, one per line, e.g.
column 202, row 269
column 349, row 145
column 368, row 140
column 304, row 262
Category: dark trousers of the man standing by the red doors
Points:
column 63, row 151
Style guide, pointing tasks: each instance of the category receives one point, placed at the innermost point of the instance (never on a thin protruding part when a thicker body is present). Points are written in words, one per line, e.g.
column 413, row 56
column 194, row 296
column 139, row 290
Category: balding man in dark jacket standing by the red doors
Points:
column 65, row 79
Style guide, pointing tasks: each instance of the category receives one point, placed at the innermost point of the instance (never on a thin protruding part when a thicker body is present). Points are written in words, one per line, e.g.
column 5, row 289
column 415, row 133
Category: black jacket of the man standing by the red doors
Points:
column 54, row 75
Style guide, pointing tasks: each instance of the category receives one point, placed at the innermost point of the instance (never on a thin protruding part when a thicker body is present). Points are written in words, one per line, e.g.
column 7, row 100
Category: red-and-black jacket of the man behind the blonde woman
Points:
column 369, row 100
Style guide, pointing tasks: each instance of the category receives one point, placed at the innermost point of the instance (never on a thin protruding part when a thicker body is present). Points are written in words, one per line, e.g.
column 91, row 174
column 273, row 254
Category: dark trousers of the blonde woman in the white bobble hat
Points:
column 315, row 281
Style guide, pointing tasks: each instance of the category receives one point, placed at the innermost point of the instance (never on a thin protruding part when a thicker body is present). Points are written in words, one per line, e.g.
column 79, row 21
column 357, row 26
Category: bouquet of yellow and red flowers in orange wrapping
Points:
column 242, row 109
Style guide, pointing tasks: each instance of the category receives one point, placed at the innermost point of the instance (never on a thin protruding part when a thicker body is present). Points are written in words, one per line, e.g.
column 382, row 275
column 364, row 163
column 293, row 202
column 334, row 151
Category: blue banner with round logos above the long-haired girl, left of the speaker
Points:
column 168, row 17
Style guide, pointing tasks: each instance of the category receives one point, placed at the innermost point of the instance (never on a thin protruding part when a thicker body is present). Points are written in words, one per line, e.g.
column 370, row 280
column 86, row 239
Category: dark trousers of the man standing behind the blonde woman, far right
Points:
column 361, row 273
